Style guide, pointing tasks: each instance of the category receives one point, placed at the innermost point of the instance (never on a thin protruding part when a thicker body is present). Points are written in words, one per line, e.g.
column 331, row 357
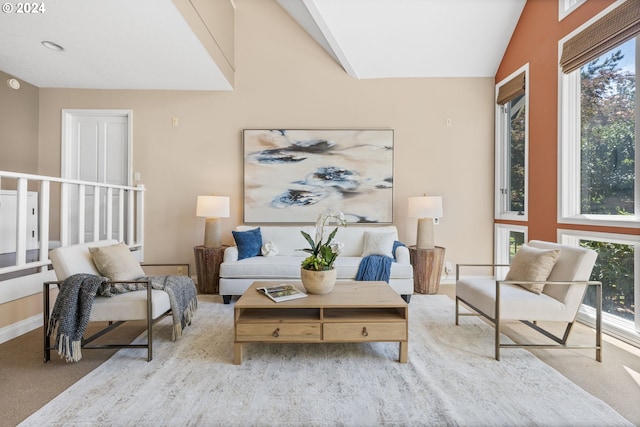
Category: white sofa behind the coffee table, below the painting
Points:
column 237, row 275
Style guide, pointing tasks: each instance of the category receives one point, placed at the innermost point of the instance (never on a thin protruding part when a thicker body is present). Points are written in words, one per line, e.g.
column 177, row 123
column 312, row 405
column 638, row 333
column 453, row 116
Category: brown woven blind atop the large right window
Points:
column 616, row 27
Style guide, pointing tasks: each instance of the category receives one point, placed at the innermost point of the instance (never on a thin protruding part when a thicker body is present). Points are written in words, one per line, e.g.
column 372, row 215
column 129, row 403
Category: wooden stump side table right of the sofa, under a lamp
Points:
column 427, row 269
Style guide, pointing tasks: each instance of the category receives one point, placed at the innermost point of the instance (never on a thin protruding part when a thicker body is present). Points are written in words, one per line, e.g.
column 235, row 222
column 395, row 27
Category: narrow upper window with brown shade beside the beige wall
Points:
column 512, row 147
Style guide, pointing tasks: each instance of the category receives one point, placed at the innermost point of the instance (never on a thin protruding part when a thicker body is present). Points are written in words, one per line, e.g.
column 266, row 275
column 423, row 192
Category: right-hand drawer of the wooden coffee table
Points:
column 393, row 331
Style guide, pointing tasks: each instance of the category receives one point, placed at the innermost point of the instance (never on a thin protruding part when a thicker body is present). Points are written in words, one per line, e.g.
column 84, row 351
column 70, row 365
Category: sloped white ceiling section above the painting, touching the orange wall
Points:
column 411, row 38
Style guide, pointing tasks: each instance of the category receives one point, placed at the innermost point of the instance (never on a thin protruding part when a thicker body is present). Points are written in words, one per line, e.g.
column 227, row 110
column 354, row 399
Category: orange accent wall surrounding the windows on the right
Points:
column 535, row 41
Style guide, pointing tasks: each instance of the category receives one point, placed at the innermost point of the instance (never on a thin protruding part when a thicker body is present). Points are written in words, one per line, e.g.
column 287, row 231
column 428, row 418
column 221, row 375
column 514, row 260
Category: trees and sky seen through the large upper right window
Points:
column 607, row 137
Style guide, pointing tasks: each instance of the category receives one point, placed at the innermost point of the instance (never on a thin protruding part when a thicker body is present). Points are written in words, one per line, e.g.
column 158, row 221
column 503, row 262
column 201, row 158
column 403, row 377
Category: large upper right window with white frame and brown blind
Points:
column 599, row 128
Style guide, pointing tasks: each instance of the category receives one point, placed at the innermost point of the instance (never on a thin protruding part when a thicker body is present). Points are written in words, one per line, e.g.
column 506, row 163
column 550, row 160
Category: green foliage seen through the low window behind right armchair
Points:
column 615, row 269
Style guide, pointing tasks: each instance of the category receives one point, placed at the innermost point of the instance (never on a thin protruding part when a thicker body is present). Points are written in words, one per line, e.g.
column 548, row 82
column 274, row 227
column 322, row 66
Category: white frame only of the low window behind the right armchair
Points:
column 623, row 329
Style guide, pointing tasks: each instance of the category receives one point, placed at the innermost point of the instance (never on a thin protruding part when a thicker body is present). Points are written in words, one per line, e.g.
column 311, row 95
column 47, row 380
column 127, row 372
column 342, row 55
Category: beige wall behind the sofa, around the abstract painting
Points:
column 283, row 79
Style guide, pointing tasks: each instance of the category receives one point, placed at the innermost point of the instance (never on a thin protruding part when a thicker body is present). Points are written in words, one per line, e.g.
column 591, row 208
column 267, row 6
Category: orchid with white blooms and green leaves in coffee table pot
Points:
column 323, row 253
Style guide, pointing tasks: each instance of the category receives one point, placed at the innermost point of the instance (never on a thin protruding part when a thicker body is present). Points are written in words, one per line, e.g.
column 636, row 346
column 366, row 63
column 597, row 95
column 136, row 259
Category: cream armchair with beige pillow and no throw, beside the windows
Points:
column 546, row 282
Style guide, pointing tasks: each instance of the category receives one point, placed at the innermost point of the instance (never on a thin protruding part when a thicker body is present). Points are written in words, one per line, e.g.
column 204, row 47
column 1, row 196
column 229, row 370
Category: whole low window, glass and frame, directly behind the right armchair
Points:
column 616, row 267
